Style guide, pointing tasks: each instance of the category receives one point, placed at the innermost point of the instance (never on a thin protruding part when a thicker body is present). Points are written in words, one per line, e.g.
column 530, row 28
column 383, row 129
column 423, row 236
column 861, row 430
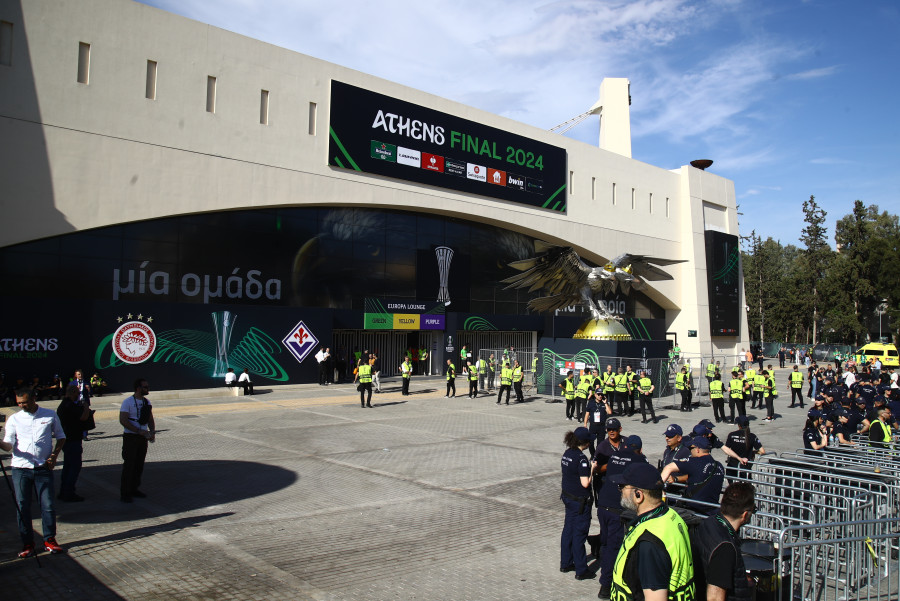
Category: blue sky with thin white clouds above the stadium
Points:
column 788, row 97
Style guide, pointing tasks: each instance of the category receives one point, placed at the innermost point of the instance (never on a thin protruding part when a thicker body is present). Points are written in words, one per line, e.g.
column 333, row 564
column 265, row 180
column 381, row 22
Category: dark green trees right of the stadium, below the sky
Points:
column 816, row 294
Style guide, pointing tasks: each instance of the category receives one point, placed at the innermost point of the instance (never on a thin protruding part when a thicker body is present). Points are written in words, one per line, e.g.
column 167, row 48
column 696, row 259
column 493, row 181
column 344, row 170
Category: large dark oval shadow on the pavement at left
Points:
column 175, row 487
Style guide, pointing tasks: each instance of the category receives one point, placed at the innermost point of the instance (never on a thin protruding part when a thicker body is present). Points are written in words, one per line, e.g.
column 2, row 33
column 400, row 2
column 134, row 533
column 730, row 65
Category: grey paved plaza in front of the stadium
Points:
column 298, row 493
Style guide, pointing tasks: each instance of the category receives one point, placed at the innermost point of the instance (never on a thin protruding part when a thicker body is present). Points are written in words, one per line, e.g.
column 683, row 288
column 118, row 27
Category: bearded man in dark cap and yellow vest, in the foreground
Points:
column 655, row 561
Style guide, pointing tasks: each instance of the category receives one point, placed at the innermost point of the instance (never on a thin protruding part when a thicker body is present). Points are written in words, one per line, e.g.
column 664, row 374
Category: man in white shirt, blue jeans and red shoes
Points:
column 29, row 436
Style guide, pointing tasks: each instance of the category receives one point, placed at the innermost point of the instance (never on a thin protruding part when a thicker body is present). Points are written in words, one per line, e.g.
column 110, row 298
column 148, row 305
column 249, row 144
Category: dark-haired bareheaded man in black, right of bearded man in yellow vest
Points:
column 719, row 571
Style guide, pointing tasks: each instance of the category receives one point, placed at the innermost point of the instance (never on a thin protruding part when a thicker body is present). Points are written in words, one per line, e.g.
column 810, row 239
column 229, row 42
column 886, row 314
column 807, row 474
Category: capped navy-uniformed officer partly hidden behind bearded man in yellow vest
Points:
column 609, row 508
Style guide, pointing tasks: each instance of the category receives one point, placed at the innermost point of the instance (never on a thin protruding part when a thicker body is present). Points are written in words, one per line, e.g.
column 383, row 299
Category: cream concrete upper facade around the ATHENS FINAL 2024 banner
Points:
column 80, row 156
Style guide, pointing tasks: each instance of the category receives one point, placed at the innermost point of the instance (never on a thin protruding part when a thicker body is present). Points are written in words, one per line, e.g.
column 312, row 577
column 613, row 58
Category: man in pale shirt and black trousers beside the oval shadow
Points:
column 136, row 416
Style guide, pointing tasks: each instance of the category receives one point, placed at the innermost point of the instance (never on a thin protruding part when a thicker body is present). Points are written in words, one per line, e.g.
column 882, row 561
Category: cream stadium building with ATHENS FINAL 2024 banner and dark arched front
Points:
column 178, row 199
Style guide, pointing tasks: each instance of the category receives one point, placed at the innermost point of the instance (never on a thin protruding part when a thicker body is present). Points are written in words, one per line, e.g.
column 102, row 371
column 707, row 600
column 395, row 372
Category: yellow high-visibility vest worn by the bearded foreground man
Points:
column 667, row 526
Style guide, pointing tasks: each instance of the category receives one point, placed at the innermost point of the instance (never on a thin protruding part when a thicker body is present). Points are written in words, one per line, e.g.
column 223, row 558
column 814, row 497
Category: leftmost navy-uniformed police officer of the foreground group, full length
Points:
column 577, row 474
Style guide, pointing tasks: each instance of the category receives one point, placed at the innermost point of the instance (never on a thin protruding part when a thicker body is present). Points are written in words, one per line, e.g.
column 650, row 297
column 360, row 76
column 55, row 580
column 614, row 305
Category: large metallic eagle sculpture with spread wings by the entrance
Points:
column 570, row 281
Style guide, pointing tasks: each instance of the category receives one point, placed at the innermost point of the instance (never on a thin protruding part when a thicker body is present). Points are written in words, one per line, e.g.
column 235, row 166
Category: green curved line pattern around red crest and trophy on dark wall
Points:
column 197, row 350
